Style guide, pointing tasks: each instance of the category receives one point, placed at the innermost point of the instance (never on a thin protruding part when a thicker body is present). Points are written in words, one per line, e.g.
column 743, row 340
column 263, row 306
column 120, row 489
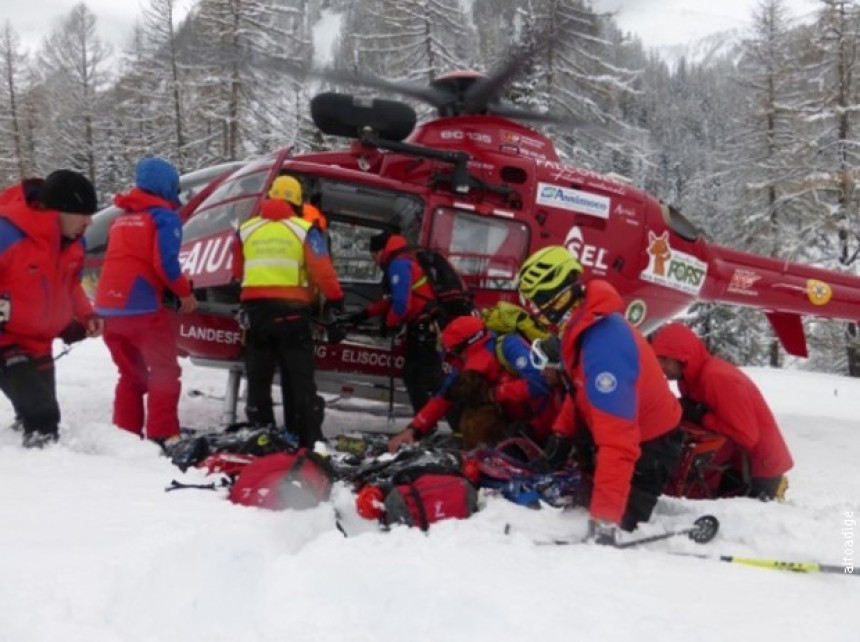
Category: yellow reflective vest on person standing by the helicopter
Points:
column 274, row 252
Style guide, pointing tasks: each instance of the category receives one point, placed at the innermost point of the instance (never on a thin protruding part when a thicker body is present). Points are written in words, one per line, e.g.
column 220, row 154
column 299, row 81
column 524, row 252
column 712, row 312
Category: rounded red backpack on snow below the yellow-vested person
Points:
column 298, row 479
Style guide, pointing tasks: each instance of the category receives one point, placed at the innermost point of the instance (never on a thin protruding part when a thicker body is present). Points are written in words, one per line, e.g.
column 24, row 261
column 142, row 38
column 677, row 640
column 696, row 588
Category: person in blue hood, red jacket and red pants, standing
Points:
column 141, row 267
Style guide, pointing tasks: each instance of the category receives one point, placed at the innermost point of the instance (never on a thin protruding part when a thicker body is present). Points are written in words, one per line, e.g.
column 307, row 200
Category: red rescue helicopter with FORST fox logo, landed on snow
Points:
column 486, row 191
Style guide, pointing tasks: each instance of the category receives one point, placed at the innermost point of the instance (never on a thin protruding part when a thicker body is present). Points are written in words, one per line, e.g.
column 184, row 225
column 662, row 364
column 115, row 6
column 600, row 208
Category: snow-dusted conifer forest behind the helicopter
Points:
column 757, row 143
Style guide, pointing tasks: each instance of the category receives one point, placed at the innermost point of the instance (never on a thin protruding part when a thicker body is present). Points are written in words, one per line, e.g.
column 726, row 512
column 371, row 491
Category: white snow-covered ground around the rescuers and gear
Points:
column 93, row 549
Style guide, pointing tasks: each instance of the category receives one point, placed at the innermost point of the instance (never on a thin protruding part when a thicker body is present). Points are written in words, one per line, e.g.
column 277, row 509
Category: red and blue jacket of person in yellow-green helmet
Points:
column 619, row 394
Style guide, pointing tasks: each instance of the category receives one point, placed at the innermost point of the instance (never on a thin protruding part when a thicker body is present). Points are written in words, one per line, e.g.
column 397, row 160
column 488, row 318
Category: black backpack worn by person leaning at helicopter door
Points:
column 451, row 294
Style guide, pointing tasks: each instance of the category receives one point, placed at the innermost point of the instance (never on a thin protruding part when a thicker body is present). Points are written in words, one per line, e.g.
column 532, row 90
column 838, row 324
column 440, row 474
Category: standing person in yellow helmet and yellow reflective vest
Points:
column 282, row 261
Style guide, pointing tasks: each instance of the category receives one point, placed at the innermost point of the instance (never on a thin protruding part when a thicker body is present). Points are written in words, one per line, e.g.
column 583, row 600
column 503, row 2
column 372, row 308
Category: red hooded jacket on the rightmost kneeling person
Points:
column 736, row 407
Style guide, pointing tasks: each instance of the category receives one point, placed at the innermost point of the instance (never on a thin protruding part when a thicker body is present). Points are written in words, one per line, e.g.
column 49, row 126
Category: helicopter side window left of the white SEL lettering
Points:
column 487, row 251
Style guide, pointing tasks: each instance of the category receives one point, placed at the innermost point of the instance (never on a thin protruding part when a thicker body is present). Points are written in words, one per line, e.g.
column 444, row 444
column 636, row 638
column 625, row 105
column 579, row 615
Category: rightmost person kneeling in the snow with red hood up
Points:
column 719, row 397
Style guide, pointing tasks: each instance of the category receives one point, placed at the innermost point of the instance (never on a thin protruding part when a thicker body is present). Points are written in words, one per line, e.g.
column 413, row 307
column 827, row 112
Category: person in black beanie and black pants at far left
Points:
column 41, row 257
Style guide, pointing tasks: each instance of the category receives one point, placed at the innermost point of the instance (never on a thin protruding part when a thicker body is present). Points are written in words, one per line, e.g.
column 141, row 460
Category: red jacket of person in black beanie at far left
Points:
column 40, row 273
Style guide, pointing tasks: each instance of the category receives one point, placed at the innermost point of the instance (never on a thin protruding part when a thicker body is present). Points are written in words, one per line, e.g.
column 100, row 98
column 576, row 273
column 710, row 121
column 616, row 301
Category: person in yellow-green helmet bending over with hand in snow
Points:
column 619, row 412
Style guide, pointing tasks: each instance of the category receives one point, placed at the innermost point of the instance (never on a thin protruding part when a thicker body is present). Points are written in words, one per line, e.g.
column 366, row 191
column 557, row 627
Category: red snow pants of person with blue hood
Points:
column 143, row 347
